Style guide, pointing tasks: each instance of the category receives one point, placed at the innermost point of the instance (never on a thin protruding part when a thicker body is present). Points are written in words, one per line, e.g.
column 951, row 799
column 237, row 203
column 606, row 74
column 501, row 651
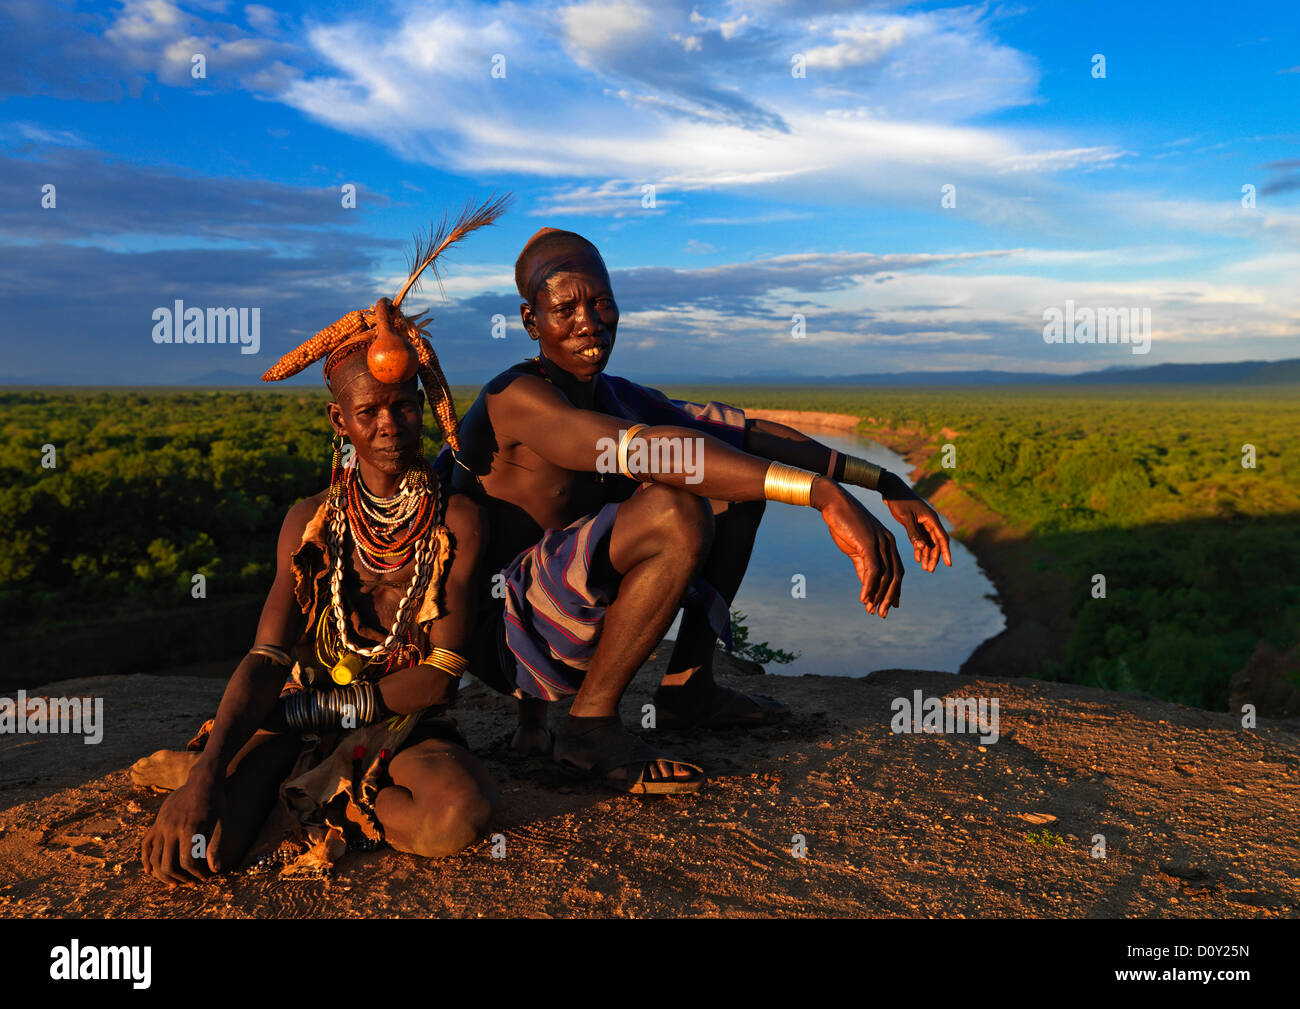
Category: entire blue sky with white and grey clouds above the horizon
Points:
column 774, row 194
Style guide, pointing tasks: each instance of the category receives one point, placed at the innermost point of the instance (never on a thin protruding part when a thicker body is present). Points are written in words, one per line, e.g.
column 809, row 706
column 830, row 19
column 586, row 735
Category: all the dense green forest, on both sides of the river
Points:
column 1147, row 486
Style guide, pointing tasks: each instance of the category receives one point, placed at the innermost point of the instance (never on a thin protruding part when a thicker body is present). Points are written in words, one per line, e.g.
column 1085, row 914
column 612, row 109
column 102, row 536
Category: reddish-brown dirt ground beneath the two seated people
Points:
column 1199, row 816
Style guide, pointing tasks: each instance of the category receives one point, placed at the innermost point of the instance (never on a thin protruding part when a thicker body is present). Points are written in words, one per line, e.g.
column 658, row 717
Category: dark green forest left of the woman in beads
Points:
column 149, row 490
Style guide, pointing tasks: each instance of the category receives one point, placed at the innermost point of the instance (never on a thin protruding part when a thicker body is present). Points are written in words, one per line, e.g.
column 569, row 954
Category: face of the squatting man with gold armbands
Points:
column 575, row 318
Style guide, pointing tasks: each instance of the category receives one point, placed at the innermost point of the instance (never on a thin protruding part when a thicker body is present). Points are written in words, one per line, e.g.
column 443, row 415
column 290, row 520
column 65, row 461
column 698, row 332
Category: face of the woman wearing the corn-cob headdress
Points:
column 382, row 421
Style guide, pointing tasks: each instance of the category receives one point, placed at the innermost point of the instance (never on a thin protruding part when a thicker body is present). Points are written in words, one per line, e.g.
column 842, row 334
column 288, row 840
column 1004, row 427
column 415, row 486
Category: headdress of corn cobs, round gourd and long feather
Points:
column 397, row 347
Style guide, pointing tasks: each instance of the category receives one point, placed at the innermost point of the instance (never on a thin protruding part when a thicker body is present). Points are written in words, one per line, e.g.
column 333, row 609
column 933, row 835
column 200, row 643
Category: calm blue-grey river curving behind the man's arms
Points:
column 942, row 620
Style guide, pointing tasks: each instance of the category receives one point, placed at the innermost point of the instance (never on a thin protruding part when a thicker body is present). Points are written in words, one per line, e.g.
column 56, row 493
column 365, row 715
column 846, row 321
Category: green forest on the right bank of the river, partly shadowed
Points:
column 1142, row 486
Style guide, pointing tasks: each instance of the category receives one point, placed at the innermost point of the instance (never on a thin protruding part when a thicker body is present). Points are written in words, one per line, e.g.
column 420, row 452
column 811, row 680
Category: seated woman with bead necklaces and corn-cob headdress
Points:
column 371, row 613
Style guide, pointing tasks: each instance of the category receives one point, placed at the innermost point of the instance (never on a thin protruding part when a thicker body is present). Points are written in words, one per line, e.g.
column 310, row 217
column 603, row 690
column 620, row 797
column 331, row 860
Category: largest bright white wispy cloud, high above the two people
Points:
column 606, row 92
